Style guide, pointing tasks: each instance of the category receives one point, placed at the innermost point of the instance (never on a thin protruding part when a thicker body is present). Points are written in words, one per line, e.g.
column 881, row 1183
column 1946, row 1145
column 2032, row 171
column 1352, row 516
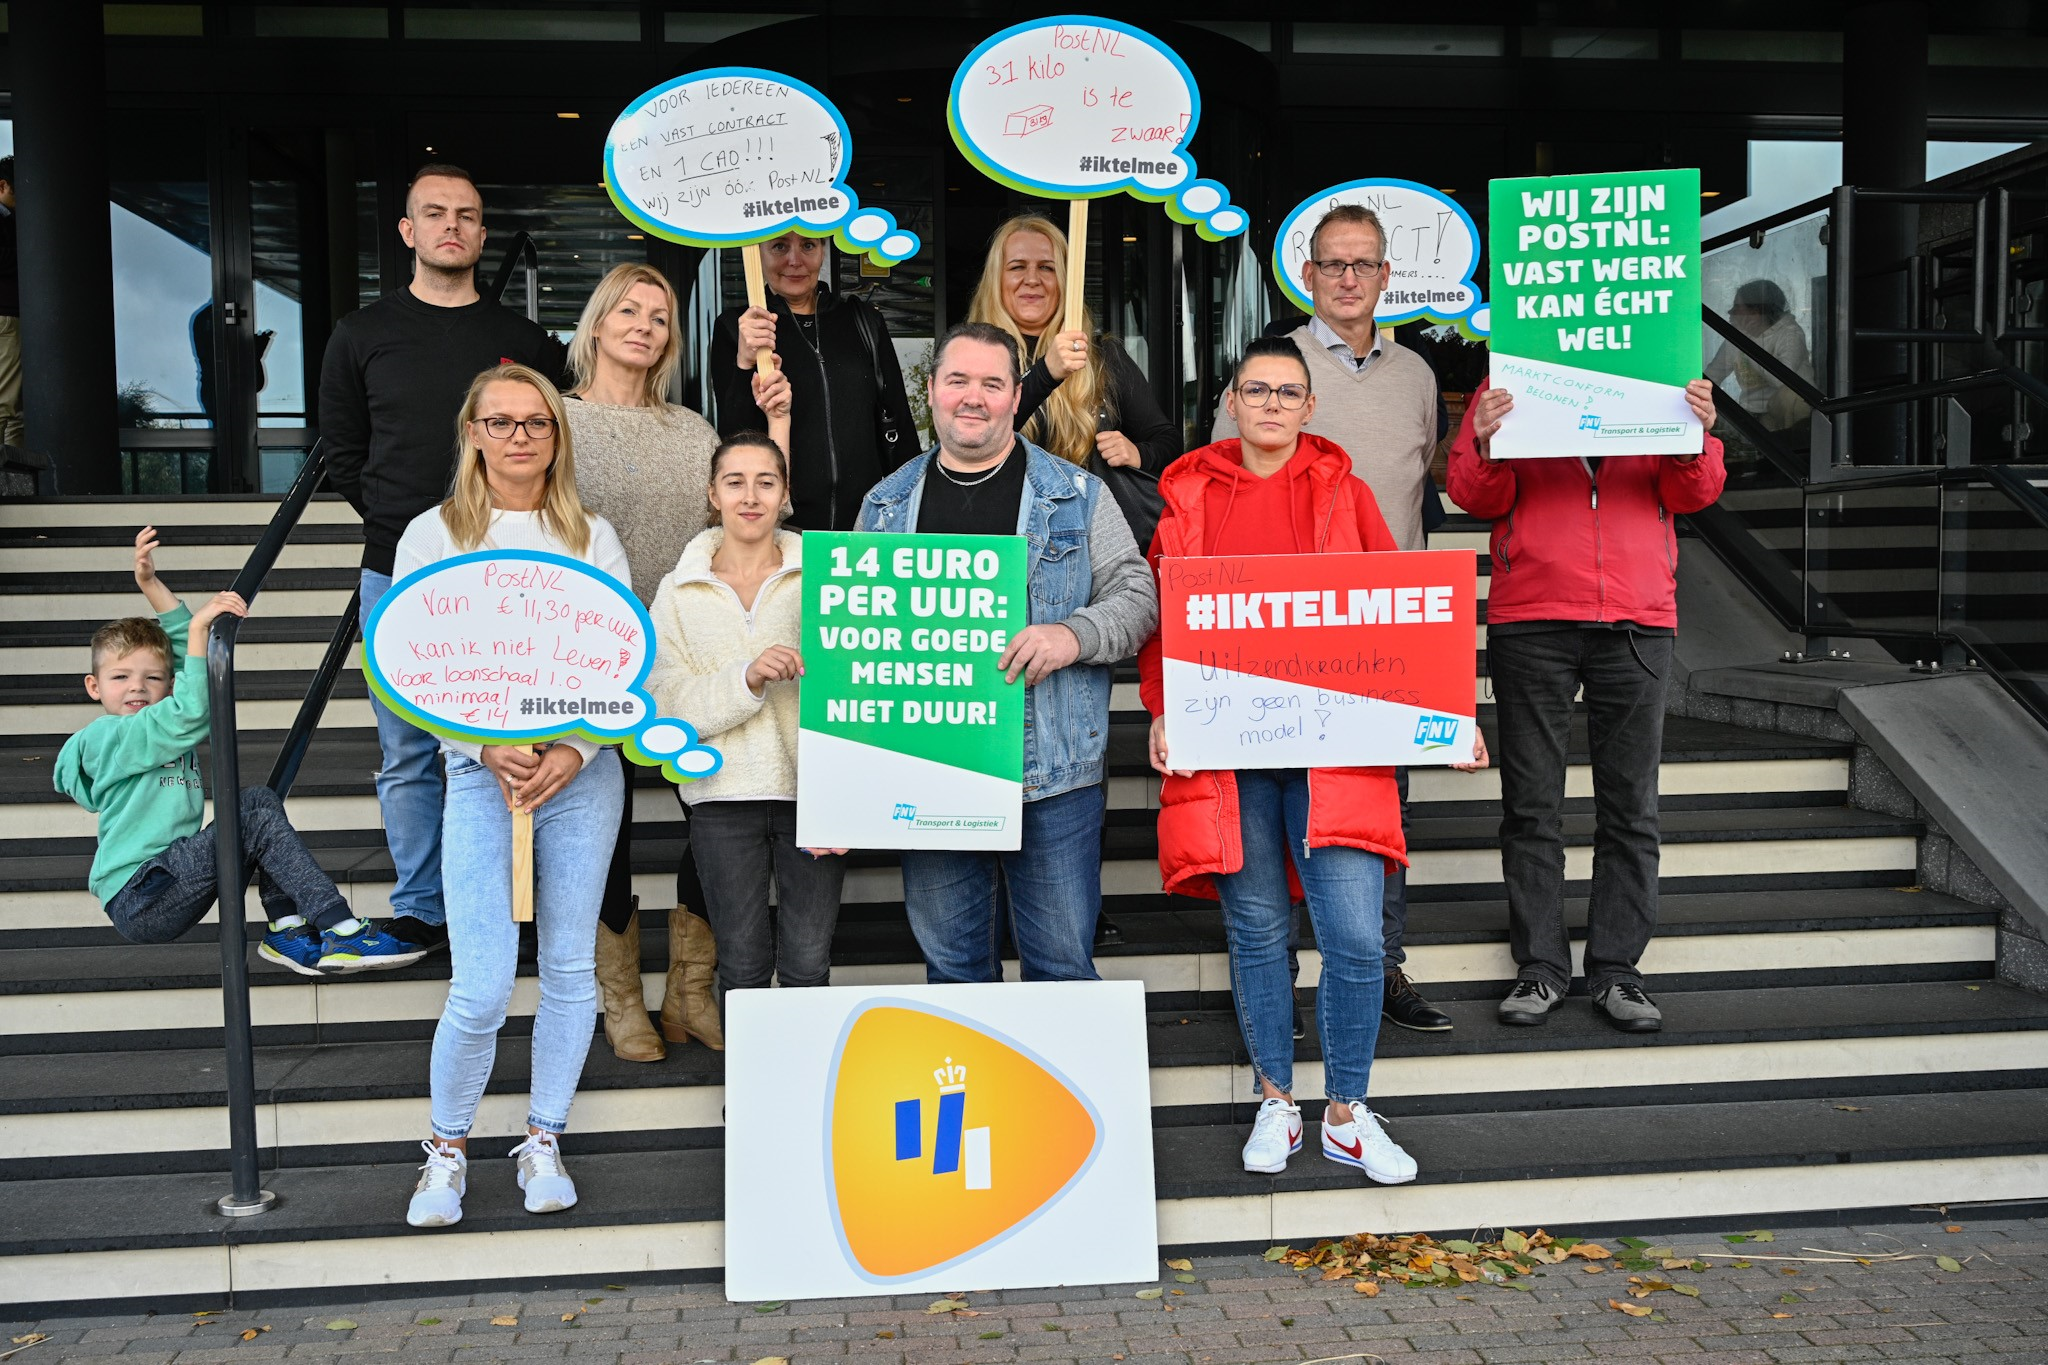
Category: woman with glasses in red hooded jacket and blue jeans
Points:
column 1256, row 838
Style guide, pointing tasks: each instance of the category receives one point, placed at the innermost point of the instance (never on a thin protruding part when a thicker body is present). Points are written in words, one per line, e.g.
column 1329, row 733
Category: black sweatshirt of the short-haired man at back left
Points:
column 390, row 390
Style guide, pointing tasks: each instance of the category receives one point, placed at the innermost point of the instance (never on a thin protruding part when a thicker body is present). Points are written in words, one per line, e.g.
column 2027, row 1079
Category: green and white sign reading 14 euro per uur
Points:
column 908, row 734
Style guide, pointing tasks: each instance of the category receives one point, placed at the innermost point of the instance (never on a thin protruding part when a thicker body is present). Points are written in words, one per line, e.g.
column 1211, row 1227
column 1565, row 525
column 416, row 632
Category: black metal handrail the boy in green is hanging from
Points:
column 230, row 867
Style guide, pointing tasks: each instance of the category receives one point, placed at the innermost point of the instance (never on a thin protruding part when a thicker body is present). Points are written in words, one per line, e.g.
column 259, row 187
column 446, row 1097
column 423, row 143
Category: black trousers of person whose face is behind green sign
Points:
column 1535, row 678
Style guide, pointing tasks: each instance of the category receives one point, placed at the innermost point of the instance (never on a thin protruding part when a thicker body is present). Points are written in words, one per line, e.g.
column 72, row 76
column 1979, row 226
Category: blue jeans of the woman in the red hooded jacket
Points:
column 1345, row 904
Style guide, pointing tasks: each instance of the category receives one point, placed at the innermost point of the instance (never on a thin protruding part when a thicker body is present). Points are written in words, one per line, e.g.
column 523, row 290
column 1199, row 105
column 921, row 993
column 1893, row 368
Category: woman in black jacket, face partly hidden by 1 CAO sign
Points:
column 851, row 419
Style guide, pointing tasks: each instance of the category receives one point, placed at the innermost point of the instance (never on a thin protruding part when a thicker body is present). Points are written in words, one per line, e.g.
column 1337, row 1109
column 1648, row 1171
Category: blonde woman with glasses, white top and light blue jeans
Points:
column 515, row 490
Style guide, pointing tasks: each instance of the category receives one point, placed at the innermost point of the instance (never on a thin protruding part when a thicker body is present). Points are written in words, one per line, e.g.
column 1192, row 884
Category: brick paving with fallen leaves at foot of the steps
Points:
column 1240, row 1311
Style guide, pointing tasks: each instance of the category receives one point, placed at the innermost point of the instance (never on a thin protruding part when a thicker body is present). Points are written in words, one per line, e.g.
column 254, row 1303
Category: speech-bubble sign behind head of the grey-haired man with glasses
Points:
column 1433, row 253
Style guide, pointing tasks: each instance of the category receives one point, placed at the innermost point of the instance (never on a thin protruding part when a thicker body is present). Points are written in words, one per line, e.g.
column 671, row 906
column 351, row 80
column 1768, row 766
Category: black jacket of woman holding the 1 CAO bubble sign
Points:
column 835, row 404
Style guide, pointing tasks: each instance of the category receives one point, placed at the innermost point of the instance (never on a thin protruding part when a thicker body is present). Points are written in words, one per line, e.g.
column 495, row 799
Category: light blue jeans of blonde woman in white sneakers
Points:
column 572, row 844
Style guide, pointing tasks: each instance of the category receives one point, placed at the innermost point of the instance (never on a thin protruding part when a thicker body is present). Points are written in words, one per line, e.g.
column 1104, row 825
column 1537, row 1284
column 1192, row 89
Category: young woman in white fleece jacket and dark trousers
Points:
column 726, row 631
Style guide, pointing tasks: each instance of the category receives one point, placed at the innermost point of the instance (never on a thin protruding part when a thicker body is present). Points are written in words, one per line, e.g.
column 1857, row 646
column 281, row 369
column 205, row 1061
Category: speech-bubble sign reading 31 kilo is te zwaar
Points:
column 1082, row 107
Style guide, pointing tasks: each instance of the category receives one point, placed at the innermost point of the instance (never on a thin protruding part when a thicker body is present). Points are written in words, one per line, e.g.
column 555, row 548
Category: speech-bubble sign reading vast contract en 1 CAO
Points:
column 740, row 155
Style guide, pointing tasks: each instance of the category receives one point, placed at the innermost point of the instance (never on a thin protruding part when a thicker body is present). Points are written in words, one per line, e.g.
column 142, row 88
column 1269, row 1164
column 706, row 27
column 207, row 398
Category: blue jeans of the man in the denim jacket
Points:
column 1056, row 895
